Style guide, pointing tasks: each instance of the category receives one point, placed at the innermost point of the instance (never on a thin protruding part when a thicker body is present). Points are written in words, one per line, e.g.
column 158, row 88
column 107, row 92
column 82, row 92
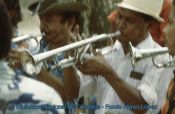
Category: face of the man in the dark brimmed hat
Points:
column 56, row 30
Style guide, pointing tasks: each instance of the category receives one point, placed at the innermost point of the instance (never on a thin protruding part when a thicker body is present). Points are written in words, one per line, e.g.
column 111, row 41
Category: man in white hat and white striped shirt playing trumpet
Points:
column 117, row 82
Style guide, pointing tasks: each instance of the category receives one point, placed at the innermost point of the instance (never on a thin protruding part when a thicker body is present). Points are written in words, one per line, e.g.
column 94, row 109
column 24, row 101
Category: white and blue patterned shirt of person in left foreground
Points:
column 22, row 95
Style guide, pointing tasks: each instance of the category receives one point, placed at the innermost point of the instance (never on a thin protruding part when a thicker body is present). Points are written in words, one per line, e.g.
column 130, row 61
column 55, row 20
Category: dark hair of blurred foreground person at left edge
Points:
column 5, row 31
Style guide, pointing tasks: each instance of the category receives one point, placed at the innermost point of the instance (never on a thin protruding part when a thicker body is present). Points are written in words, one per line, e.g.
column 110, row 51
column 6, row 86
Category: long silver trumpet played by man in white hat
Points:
column 32, row 64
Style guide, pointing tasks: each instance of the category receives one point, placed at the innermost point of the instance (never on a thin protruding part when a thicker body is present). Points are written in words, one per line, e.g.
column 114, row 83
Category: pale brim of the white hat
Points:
column 127, row 6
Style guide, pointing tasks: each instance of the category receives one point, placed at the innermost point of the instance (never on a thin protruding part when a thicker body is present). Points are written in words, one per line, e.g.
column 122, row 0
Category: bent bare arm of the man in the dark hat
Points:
column 68, row 89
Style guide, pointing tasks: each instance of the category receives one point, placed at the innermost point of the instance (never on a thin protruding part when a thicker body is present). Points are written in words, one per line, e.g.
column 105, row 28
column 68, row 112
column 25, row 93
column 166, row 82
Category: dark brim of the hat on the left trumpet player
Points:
column 59, row 7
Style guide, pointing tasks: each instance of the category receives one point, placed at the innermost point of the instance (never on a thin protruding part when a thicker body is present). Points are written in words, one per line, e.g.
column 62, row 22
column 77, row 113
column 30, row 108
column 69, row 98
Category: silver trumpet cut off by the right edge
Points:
column 138, row 54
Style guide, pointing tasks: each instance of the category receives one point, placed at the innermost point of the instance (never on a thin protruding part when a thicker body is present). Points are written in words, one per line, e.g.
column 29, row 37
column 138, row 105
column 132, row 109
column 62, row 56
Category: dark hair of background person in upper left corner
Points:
column 14, row 5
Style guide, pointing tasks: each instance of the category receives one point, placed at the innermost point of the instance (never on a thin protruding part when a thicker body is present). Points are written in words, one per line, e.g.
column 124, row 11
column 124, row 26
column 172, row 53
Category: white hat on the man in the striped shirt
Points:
column 148, row 7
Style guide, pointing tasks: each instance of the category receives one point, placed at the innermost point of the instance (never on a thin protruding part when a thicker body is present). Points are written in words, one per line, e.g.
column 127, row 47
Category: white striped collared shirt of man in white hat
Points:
column 152, row 82
